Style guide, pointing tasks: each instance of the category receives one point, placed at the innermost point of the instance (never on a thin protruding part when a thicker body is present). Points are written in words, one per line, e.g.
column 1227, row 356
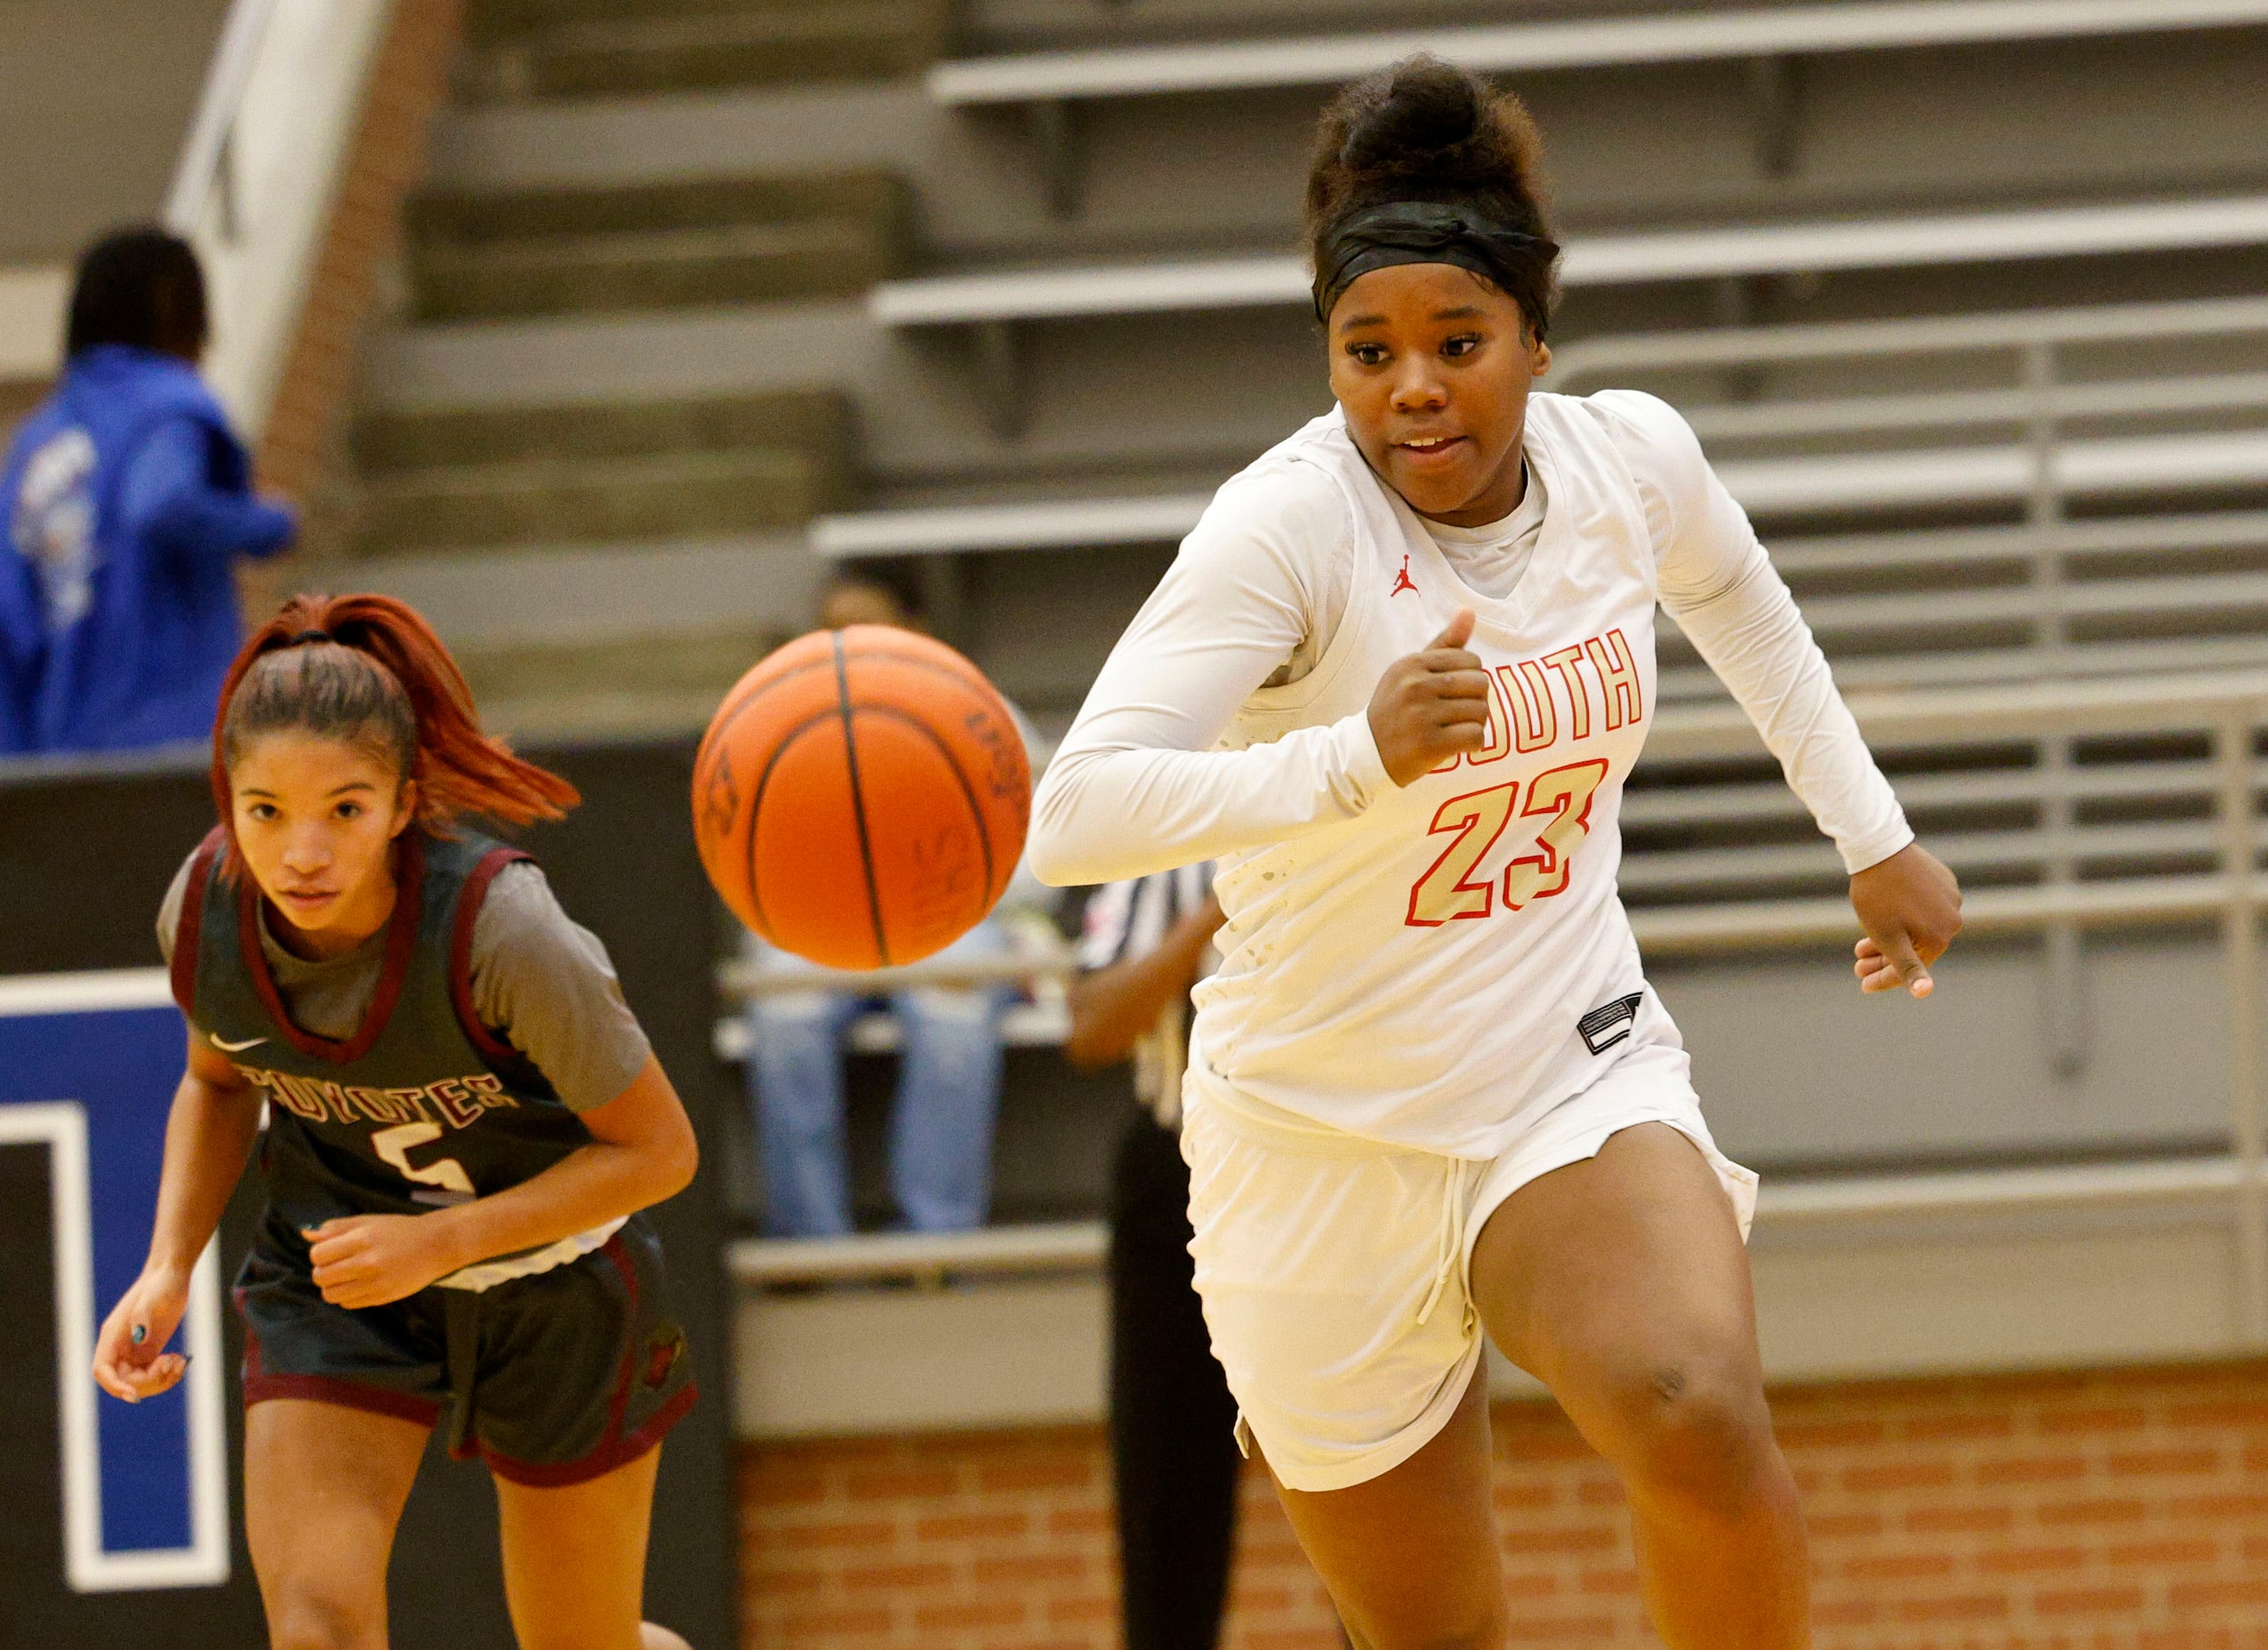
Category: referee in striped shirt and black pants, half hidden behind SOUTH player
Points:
column 1174, row 1449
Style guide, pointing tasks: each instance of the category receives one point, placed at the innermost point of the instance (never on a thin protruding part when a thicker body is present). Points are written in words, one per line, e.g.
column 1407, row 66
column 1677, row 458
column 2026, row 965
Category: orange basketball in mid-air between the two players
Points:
column 861, row 798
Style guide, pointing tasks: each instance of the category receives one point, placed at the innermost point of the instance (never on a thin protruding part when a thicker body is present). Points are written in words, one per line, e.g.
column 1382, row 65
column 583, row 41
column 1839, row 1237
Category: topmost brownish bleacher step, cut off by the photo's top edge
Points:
column 584, row 51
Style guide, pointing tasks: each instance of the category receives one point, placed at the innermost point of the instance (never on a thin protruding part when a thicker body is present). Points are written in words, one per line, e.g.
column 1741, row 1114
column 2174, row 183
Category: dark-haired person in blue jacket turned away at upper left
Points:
column 128, row 505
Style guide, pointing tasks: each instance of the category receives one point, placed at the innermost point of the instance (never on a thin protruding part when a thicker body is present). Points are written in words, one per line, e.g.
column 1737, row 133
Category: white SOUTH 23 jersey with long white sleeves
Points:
column 1416, row 966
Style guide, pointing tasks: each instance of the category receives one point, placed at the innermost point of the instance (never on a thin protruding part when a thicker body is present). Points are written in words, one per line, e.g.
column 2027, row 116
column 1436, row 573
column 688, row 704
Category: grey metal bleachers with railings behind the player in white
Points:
column 2006, row 432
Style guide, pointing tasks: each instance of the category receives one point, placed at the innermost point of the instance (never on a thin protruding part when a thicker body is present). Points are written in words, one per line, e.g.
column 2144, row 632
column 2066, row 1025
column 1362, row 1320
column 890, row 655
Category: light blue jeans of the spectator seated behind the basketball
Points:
column 940, row 1131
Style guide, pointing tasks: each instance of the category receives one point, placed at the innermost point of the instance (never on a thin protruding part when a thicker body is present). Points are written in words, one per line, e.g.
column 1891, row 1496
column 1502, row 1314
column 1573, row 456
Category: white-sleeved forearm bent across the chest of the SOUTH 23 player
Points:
column 1106, row 814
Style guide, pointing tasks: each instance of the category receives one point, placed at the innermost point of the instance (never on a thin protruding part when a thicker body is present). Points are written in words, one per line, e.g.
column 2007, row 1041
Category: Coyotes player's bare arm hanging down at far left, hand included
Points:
column 208, row 1140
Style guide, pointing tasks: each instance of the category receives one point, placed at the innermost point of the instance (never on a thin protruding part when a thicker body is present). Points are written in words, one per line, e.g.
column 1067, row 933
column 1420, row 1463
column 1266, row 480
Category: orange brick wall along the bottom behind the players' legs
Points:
column 2074, row 1513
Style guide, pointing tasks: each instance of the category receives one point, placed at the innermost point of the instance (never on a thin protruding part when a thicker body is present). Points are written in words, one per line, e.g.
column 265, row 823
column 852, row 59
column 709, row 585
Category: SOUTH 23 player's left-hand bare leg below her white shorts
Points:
column 1412, row 1556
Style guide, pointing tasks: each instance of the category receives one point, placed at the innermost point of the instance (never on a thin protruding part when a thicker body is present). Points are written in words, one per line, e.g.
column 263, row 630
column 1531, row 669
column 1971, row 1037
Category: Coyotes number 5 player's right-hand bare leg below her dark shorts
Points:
column 575, row 1558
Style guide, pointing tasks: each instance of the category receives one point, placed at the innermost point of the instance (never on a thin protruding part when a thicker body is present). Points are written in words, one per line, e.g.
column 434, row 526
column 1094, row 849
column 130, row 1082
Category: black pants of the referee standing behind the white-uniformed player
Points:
column 1171, row 1415
